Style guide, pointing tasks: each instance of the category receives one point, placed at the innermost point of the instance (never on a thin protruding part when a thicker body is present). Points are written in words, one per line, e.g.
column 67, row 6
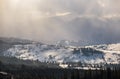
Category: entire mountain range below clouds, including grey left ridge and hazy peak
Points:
column 63, row 52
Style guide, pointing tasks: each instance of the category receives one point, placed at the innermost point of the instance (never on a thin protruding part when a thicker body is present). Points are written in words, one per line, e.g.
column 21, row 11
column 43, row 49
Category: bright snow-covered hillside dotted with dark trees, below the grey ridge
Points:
column 64, row 54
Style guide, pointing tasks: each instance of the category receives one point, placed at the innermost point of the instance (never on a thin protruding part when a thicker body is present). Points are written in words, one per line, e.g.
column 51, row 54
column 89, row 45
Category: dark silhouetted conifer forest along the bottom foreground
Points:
column 26, row 72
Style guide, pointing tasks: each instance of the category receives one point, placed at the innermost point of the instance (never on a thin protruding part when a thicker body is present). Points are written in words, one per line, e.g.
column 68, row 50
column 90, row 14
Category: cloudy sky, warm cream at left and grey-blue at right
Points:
column 94, row 21
